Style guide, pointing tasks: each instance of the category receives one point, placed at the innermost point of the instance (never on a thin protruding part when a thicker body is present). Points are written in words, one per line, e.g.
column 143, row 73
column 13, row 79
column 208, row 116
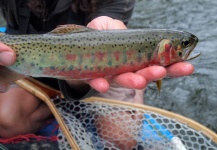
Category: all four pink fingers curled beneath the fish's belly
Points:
column 141, row 78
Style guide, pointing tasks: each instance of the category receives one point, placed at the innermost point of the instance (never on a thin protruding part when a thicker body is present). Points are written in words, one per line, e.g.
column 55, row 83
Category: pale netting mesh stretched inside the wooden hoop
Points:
column 103, row 126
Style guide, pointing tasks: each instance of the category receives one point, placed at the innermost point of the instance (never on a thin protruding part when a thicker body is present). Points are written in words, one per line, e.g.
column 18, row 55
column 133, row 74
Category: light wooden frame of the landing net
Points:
column 46, row 94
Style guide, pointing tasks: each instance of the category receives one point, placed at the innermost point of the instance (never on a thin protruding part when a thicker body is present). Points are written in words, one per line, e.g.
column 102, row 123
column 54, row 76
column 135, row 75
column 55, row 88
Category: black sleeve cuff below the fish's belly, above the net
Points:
column 70, row 94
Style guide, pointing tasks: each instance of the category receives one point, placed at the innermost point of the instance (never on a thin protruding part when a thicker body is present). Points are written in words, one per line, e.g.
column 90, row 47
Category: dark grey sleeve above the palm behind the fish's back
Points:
column 116, row 9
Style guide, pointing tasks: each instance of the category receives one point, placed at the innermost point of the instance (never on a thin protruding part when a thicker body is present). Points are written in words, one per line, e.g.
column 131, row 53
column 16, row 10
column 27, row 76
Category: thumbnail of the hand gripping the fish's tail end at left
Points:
column 6, row 58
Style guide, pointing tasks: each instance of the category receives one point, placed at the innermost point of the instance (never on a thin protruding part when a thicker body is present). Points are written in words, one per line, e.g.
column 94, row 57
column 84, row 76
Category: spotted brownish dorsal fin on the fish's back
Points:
column 70, row 28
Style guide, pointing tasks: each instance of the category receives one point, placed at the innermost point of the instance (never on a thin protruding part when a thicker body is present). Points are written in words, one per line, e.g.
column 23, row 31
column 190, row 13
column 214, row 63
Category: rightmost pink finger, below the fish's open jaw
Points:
column 180, row 69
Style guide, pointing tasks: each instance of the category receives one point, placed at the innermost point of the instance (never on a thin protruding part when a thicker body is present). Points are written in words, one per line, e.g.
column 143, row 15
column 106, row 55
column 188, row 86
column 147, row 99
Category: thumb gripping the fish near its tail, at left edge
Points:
column 7, row 55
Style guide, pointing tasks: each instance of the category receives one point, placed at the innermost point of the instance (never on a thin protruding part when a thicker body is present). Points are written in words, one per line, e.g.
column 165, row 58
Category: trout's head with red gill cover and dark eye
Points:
column 177, row 48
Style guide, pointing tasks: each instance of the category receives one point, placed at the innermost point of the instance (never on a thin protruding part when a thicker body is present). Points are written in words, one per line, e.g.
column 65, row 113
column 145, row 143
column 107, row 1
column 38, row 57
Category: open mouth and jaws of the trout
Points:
column 190, row 49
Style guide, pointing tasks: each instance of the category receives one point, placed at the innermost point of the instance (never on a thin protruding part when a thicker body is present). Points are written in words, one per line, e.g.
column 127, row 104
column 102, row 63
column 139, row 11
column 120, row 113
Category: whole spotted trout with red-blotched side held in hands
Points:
column 79, row 53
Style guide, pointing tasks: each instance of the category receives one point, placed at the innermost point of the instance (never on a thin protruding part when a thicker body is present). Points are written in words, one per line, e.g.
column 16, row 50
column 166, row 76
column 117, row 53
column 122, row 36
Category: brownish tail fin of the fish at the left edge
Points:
column 8, row 77
